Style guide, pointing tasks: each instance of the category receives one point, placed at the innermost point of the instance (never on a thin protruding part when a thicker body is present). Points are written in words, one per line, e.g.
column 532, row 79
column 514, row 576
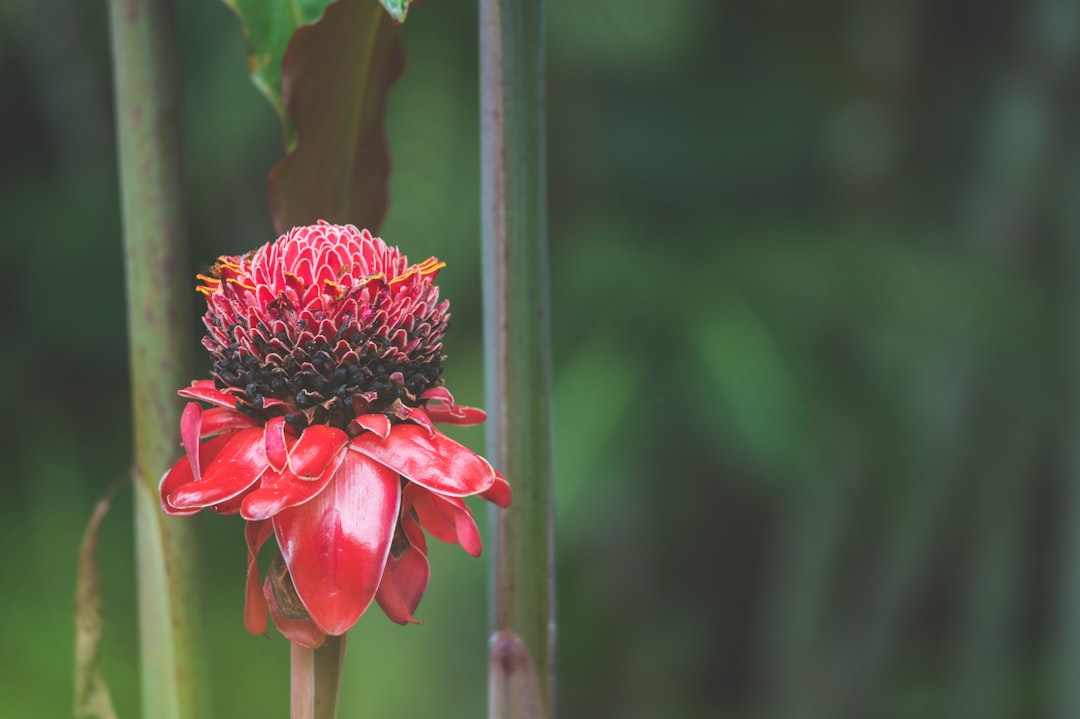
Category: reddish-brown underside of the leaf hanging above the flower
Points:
column 335, row 79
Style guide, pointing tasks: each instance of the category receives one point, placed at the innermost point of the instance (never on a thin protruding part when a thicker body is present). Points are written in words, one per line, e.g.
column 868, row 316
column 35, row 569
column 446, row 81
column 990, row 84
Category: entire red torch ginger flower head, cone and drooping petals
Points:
column 327, row 350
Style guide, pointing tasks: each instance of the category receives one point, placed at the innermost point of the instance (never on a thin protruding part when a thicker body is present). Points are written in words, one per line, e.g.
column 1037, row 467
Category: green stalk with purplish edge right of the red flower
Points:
column 517, row 308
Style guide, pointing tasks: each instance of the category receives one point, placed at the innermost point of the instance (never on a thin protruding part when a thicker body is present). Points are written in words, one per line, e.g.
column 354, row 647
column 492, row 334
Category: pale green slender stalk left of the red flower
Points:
column 159, row 320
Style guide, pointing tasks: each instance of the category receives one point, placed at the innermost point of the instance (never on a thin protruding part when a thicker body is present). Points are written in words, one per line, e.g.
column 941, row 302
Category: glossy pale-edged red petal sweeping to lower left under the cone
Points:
column 239, row 466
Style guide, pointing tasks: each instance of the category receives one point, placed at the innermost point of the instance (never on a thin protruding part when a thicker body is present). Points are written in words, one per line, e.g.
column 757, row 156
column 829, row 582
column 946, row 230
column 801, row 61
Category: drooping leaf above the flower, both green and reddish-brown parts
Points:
column 327, row 69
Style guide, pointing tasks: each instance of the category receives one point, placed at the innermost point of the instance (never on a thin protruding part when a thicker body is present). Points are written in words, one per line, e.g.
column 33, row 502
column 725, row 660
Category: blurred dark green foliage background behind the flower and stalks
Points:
column 817, row 356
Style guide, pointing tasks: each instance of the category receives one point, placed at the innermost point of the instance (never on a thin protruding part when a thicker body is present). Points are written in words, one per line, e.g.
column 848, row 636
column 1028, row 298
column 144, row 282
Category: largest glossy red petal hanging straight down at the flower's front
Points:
column 336, row 546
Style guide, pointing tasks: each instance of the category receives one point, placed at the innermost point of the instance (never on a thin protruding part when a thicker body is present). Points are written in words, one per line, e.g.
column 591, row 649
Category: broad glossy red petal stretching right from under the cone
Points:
column 436, row 463
